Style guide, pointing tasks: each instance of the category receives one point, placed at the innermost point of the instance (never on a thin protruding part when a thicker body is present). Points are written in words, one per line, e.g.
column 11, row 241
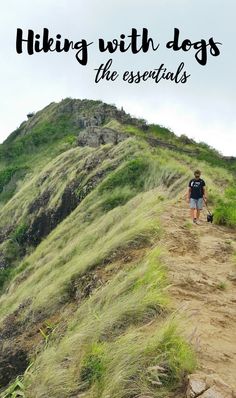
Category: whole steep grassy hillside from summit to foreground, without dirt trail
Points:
column 85, row 305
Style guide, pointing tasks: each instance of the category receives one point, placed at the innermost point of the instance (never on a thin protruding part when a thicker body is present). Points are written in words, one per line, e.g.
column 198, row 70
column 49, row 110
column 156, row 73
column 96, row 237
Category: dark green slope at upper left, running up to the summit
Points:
column 48, row 133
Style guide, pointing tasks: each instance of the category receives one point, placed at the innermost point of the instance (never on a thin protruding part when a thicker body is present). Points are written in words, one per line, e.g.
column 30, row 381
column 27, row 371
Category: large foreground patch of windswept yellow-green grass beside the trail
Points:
column 109, row 347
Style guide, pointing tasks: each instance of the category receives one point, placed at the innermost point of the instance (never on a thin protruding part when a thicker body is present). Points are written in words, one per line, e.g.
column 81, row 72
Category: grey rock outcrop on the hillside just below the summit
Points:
column 95, row 136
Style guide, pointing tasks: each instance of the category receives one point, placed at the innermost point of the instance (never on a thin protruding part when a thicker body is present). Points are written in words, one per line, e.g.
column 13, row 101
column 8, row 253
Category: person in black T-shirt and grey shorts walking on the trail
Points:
column 196, row 195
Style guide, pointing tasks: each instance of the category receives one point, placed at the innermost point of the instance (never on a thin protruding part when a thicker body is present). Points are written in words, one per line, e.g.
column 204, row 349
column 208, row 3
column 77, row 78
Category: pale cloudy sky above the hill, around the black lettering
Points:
column 203, row 108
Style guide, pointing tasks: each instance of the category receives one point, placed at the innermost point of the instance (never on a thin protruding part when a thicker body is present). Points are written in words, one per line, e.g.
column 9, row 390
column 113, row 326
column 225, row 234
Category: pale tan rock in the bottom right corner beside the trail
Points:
column 207, row 386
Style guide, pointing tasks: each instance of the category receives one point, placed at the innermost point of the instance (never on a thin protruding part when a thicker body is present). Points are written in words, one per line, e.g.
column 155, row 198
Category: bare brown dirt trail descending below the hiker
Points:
column 201, row 269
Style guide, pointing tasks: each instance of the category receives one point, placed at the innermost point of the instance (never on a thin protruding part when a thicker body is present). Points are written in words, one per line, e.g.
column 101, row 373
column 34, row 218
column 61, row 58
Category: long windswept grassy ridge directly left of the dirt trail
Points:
column 111, row 351
